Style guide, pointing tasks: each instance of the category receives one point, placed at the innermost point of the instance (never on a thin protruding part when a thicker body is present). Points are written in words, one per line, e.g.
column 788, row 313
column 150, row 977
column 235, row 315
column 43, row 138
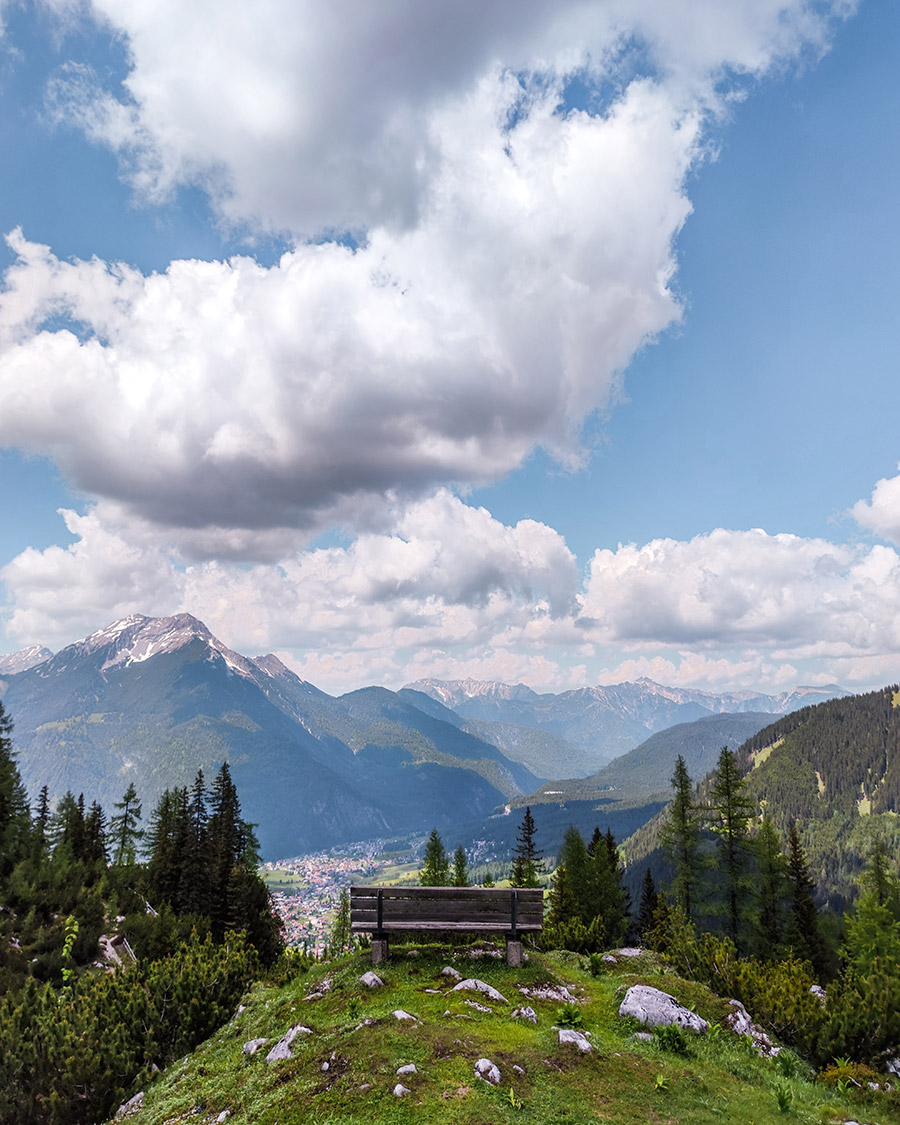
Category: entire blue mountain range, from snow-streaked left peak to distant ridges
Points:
column 154, row 700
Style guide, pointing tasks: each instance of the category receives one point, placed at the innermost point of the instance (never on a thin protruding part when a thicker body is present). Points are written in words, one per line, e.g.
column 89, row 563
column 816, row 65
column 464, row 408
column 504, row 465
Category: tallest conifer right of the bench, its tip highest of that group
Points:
column 732, row 811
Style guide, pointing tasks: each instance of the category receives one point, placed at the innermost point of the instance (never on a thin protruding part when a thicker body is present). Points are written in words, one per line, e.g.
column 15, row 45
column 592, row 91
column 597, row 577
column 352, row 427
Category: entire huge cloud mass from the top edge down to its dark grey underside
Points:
column 514, row 255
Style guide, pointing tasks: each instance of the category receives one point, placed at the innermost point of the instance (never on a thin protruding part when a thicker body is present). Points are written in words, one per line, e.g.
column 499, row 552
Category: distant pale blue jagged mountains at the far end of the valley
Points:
column 607, row 722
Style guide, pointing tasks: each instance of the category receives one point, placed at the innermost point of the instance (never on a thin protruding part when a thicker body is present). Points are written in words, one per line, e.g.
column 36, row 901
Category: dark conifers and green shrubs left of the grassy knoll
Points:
column 123, row 946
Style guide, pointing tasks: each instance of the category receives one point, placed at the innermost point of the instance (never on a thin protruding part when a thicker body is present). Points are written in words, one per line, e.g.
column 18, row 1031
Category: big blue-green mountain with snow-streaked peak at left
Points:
column 154, row 700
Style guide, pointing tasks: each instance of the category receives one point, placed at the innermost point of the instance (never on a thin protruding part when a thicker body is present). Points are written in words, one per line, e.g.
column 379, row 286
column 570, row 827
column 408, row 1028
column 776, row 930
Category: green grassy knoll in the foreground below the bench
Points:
column 623, row 1082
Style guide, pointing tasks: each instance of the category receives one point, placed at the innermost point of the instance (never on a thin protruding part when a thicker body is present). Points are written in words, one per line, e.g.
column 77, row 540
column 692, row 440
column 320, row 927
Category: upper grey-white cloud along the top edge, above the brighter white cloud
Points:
column 304, row 116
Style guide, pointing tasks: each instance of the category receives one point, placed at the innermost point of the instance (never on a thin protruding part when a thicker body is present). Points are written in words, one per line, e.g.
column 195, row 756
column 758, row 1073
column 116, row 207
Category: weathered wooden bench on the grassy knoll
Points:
column 385, row 911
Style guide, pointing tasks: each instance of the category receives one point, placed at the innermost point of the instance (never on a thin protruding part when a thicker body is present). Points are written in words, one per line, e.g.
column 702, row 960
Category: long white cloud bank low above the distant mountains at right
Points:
column 796, row 597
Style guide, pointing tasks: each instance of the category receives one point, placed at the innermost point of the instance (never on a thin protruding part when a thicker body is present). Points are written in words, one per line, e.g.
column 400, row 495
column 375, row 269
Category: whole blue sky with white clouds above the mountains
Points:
column 543, row 344
